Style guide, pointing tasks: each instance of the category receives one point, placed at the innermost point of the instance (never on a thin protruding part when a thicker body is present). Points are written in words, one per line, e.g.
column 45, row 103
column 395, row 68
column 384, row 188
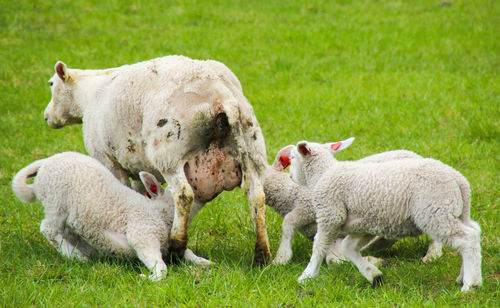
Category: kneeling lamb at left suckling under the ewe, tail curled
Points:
column 89, row 213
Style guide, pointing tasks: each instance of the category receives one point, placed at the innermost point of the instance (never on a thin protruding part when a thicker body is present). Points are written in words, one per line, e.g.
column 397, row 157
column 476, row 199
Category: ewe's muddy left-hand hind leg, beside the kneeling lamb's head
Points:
column 183, row 199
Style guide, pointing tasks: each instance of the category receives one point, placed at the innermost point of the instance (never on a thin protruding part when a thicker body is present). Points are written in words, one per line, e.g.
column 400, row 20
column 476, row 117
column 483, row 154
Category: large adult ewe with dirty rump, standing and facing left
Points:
column 185, row 121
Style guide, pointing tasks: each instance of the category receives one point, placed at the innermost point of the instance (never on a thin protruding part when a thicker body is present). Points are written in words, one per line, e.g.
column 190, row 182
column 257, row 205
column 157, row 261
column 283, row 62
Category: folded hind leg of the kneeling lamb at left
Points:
column 52, row 227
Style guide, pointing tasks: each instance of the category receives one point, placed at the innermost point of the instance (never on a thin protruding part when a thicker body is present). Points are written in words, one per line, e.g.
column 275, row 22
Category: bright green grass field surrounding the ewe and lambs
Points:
column 418, row 75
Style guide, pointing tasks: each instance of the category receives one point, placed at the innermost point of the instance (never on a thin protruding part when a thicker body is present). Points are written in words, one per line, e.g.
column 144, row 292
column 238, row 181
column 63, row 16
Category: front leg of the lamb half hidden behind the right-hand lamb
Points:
column 292, row 221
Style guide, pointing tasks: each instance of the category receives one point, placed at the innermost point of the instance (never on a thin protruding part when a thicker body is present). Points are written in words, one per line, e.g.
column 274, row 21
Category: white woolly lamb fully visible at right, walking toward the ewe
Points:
column 394, row 199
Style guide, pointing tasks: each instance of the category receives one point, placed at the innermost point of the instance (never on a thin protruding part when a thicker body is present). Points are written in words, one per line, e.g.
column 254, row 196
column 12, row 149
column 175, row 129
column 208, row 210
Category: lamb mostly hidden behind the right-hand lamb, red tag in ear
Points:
column 294, row 203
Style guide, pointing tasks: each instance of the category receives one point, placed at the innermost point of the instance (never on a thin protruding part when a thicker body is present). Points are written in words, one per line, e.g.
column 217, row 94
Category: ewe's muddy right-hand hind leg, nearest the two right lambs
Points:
column 256, row 203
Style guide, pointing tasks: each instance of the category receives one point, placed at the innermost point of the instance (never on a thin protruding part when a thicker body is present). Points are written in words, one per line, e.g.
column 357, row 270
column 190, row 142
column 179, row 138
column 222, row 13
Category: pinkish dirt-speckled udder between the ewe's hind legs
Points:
column 212, row 171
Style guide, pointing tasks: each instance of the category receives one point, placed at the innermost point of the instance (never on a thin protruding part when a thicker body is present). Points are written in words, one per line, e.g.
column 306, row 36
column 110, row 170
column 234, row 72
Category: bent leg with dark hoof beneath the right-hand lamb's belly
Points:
column 351, row 245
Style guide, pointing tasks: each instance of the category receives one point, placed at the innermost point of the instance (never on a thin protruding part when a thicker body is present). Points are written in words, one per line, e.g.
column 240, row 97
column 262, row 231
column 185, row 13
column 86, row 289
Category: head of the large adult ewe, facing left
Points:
column 62, row 109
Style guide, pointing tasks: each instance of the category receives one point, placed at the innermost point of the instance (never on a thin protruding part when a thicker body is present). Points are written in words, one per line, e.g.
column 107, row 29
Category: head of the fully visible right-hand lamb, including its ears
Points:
column 309, row 160
